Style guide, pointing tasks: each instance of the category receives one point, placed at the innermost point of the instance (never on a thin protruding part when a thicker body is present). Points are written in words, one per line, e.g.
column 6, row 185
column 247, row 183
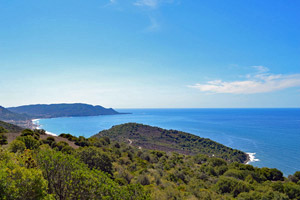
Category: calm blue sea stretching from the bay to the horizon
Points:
column 272, row 134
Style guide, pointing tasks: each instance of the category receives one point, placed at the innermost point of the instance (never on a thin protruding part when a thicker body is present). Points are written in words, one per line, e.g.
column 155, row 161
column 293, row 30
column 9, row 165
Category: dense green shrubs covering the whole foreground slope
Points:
column 35, row 168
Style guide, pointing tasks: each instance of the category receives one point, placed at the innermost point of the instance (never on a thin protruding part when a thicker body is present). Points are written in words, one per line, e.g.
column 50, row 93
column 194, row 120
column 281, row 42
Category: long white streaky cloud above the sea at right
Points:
column 260, row 82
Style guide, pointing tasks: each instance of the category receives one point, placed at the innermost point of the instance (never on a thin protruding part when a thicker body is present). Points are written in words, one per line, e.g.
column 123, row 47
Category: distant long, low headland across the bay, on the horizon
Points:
column 62, row 110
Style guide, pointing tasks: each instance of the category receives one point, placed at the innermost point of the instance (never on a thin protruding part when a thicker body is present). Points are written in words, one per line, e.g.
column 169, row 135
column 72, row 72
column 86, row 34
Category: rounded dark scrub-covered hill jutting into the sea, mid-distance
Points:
column 171, row 141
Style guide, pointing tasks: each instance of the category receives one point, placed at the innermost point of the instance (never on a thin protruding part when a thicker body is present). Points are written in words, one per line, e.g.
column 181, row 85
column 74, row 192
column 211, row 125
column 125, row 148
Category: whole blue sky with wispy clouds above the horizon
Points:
column 151, row 53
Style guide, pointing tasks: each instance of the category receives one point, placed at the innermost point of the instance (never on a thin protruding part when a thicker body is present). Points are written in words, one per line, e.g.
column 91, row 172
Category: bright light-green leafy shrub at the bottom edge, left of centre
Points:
column 68, row 178
